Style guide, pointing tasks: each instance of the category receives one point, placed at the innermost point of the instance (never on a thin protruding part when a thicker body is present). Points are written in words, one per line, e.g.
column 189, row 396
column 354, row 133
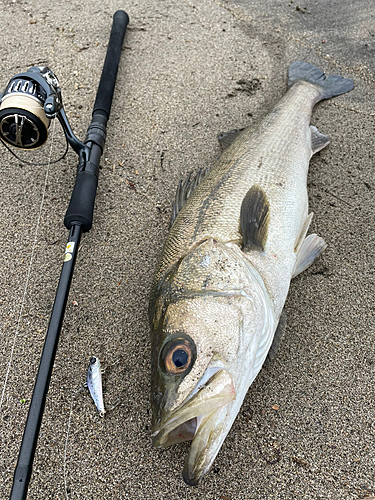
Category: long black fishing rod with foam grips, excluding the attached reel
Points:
column 81, row 208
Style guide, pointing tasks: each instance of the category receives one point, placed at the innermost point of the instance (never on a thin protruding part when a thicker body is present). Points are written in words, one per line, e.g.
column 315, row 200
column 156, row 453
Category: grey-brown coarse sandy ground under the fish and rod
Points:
column 177, row 89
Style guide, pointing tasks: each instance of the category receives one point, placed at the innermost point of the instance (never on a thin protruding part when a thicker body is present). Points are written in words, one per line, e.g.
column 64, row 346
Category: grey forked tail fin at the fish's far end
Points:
column 330, row 86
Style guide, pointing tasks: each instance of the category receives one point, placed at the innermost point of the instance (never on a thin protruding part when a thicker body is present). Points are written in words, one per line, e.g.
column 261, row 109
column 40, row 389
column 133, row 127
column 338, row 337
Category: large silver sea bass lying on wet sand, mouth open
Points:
column 239, row 235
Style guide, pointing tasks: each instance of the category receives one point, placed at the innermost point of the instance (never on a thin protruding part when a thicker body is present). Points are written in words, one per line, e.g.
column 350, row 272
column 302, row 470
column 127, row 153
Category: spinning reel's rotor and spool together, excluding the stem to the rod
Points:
column 28, row 103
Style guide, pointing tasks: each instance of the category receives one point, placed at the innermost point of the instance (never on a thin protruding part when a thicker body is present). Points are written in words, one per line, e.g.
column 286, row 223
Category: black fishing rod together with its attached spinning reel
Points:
column 27, row 105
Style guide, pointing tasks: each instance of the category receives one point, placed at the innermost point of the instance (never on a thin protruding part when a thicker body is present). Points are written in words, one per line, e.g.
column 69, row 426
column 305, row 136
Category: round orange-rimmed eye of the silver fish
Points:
column 178, row 356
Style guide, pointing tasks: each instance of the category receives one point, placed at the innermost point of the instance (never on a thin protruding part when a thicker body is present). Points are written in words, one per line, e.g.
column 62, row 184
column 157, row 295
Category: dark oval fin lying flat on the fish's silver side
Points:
column 254, row 219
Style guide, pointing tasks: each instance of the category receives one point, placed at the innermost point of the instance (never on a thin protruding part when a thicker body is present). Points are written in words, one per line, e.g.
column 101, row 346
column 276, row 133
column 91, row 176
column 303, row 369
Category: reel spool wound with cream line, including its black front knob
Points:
column 23, row 122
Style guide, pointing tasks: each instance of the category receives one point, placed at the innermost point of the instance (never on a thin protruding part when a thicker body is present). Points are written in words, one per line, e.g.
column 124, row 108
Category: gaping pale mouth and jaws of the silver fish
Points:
column 199, row 419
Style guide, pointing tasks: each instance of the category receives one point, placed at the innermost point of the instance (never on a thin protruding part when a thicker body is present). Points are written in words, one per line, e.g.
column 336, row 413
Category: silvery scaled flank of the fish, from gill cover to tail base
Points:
column 276, row 146
